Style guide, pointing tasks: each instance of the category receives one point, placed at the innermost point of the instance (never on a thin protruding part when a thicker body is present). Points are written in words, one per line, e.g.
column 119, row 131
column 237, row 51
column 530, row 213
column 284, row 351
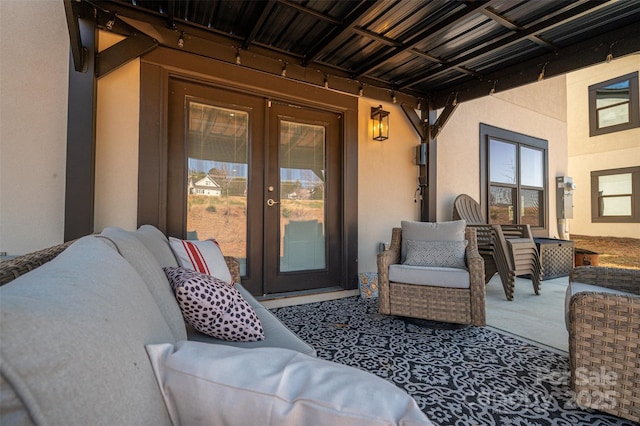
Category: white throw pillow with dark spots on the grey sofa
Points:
column 214, row 307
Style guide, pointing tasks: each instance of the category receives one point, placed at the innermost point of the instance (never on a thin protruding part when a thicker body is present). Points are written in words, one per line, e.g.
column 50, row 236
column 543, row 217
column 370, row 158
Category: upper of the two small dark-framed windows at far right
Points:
column 613, row 105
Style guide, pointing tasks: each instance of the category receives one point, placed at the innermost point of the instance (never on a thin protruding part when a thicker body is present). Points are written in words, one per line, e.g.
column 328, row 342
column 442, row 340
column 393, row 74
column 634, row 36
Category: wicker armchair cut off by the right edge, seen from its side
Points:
column 604, row 340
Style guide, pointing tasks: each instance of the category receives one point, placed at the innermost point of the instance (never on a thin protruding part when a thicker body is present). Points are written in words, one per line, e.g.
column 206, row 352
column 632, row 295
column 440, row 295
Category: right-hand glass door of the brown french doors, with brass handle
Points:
column 302, row 234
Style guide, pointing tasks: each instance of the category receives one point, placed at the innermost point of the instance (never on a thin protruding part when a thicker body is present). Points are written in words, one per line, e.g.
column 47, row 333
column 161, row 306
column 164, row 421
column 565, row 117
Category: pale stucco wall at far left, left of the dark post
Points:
column 34, row 74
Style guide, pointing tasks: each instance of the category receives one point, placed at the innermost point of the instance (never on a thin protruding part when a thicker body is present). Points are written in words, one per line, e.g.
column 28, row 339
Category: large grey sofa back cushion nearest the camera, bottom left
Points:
column 73, row 341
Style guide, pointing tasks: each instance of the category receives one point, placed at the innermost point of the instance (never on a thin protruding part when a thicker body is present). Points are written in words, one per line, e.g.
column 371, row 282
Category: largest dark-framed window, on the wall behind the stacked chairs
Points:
column 514, row 176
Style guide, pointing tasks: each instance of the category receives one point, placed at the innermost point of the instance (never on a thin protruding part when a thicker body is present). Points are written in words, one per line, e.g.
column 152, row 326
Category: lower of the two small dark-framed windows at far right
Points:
column 615, row 195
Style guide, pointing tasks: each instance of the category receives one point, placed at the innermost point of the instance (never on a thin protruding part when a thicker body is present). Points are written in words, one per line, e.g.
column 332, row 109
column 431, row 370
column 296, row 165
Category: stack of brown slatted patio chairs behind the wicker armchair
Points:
column 507, row 249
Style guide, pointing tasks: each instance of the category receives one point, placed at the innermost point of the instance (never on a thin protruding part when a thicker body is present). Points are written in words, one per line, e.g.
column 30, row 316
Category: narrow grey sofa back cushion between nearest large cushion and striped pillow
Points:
column 143, row 261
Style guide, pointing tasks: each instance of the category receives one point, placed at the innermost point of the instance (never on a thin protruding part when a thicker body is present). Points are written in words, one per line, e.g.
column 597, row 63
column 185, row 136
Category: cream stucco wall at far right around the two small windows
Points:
column 603, row 152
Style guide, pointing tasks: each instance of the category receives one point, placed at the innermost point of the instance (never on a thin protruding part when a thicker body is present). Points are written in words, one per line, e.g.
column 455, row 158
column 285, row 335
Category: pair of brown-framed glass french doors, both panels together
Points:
column 263, row 178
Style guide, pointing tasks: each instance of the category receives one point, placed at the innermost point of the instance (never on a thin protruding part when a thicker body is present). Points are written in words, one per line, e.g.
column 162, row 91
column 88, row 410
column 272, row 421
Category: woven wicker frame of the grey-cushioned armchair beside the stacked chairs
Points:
column 437, row 303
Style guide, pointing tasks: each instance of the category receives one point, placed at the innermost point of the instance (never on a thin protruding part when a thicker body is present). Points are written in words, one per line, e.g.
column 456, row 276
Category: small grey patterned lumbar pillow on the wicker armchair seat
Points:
column 449, row 254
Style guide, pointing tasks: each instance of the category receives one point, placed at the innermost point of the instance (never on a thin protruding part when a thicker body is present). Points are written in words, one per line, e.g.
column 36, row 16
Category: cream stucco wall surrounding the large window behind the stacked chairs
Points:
column 536, row 110
